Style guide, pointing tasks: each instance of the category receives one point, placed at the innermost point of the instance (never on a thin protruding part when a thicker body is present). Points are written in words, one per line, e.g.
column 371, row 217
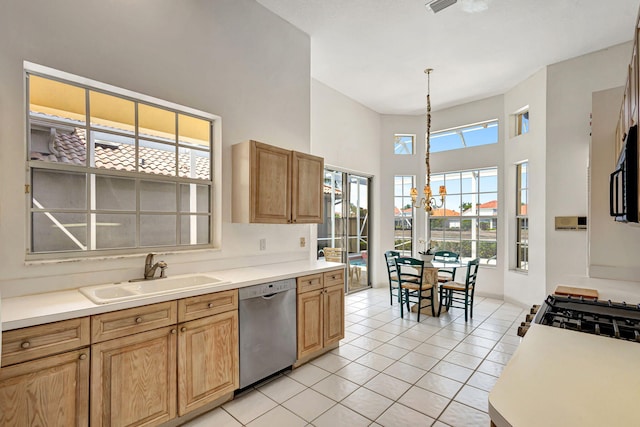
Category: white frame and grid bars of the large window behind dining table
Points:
column 475, row 218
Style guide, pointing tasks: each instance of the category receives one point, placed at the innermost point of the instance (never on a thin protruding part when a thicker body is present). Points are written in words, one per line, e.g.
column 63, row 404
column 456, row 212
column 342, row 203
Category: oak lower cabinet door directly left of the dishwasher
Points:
column 207, row 360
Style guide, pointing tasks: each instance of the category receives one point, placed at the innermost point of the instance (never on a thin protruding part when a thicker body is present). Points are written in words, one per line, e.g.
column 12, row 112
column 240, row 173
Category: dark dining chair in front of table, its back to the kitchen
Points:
column 410, row 276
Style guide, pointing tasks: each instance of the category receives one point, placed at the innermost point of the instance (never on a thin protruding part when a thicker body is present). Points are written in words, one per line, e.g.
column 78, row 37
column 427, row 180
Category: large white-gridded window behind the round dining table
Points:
column 468, row 221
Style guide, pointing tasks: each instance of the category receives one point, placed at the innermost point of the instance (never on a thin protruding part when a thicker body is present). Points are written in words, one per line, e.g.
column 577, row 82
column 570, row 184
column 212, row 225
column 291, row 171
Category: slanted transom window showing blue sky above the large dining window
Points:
column 482, row 133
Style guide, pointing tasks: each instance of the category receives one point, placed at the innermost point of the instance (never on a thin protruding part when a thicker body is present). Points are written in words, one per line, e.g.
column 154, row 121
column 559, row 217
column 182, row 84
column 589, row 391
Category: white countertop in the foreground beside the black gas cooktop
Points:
column 559, row 377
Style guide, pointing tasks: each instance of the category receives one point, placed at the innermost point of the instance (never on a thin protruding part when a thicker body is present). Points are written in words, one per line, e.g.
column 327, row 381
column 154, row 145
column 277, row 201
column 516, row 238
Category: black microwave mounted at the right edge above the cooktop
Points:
column 623, row 183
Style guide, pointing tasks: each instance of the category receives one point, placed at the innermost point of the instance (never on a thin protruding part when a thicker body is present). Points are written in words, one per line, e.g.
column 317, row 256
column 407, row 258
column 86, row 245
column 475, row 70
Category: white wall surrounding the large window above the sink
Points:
column 233, row 58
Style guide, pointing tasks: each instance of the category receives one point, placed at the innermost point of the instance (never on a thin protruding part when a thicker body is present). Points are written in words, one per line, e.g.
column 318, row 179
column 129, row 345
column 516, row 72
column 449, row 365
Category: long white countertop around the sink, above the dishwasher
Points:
column 30, row 310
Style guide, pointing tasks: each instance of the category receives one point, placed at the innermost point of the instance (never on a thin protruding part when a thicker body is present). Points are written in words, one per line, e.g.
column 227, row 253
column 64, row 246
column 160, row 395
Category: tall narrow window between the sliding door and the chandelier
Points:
column 403, row 216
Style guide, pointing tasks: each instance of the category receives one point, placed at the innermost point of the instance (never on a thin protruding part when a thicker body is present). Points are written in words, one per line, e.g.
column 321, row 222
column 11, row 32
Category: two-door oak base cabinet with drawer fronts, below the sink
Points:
column 163, row 360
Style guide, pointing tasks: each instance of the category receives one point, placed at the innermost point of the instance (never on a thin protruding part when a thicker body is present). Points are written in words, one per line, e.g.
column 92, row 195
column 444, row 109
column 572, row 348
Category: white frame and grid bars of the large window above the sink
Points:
column 91, row 172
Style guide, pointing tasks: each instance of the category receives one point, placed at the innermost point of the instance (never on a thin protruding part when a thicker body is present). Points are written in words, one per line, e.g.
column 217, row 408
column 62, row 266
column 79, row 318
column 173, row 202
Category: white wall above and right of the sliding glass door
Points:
column 347, row 135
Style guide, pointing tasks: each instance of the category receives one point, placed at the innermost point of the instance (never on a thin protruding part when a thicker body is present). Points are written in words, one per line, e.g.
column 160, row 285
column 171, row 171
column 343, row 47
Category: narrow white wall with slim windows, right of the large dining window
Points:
column 527, row 288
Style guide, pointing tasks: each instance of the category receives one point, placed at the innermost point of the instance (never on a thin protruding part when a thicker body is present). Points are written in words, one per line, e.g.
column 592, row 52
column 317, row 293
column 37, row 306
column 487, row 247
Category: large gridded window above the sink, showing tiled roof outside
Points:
column 111, row 170
